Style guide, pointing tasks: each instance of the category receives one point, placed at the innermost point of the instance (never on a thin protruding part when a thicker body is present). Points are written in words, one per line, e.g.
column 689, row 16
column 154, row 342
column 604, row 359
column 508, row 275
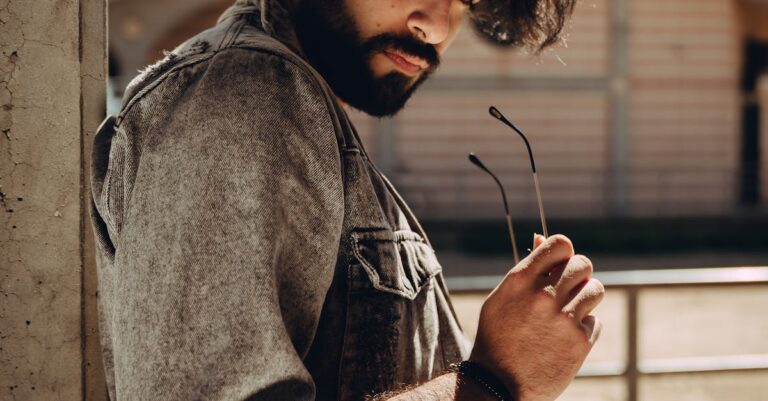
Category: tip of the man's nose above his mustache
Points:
column 430, row 20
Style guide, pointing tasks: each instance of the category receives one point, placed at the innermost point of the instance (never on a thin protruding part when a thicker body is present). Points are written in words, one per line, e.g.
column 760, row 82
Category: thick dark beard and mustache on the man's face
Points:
column 334, row 46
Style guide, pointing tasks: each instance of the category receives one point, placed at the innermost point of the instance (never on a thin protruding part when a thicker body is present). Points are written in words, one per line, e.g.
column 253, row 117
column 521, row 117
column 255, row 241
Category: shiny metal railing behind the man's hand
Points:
column 632, row 283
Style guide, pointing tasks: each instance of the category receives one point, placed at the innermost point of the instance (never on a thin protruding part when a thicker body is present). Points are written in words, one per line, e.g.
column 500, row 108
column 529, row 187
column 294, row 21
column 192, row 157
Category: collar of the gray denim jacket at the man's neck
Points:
column 276, row 19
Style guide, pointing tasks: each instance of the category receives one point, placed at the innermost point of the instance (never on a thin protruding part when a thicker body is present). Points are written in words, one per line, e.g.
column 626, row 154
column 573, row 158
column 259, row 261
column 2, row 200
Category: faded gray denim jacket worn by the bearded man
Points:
column 247, row 248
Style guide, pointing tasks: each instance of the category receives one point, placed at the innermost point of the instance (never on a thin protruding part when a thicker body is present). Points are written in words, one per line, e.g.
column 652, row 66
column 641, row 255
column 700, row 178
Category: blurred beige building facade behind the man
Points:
column 648, row 108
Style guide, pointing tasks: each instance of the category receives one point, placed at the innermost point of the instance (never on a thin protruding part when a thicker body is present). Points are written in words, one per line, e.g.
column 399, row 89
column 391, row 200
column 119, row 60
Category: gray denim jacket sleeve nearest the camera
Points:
column 229, row 234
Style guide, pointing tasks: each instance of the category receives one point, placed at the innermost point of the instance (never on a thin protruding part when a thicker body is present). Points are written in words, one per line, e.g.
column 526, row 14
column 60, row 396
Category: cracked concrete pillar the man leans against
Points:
column 52, row 83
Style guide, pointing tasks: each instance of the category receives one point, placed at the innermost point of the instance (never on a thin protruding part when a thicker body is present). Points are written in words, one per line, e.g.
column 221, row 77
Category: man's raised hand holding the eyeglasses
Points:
column 535, row 328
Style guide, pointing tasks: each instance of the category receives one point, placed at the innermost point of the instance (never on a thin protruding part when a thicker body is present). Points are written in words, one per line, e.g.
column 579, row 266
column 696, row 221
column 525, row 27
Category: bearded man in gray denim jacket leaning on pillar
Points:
column 249, row 249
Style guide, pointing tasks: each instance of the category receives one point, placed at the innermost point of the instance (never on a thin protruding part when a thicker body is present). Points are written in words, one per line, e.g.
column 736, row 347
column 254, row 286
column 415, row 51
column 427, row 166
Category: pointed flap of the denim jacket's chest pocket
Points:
column 399, row 262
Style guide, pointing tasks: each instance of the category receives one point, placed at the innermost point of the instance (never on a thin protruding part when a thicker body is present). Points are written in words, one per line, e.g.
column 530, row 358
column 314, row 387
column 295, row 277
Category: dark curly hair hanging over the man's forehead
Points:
column 533, row 24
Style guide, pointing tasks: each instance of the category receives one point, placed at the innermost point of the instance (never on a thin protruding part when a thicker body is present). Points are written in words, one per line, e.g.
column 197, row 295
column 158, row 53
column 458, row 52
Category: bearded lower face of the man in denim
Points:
column 375, row 53
